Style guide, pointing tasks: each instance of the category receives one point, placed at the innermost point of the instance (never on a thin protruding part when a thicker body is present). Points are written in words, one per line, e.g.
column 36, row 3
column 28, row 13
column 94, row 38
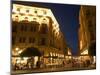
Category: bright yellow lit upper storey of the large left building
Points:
column 40, row 12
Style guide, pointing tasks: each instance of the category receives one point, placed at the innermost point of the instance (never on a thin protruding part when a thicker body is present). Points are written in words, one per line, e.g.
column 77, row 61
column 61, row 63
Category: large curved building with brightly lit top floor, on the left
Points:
column 36, row 27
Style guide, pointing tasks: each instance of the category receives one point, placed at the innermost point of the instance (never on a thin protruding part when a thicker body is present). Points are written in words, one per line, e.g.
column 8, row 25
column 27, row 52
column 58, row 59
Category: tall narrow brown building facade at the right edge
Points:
column 87, row 30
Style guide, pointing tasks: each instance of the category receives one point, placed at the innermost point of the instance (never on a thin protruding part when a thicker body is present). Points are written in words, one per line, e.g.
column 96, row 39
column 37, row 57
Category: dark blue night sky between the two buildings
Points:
column 68, row 18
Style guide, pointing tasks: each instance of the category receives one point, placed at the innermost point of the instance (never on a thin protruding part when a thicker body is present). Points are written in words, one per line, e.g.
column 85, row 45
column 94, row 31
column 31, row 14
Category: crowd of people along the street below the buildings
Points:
column 41, row 64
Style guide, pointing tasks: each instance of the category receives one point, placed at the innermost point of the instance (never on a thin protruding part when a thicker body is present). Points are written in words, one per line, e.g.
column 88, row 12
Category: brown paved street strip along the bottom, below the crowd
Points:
column 51, row 70
